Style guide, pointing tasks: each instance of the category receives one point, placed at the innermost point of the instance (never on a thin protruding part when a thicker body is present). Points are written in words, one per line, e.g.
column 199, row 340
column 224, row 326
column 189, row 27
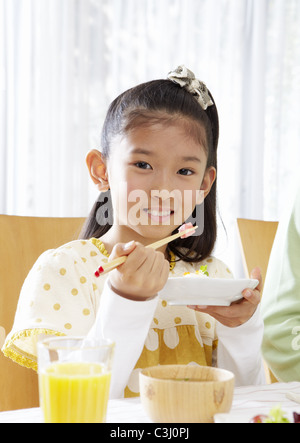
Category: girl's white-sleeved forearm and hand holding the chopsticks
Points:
column 127, row 307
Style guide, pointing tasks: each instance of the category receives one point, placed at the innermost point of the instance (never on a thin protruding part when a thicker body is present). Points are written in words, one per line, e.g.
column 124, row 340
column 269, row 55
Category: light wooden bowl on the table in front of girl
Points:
column 185, row 393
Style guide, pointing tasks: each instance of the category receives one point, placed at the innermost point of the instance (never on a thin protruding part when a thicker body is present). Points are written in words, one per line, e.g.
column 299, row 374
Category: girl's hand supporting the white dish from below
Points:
column 238, row 312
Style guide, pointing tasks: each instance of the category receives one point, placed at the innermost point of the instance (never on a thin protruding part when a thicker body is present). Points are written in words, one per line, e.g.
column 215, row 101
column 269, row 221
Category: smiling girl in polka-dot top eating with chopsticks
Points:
column 158, row 161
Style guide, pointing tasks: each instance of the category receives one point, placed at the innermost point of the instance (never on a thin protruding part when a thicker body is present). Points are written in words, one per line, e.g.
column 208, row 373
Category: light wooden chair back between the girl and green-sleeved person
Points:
column 257, row 237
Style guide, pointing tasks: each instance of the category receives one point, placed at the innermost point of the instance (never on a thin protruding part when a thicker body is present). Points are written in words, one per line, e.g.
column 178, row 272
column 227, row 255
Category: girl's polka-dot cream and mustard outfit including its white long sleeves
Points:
column 61, row 296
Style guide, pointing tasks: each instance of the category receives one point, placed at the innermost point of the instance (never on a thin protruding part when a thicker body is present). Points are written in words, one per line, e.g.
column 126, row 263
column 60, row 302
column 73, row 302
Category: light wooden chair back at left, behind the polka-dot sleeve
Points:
column 22, row 241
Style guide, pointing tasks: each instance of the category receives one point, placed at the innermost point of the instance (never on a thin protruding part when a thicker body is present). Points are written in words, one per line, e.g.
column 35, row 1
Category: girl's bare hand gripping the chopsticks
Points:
column 144, row 273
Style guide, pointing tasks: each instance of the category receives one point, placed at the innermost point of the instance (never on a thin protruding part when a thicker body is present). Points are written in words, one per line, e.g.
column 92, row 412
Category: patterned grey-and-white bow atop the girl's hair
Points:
column 187, row 80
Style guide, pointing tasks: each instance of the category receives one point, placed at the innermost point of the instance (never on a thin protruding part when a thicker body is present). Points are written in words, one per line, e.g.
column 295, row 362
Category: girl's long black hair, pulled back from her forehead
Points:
column 160, row 100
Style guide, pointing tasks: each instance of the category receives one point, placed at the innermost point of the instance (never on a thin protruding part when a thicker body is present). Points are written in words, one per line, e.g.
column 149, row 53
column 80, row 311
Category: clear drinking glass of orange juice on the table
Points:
column 74, row 379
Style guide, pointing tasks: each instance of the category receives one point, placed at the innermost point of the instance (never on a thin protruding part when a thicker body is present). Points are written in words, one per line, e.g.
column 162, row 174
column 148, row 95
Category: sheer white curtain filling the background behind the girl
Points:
column 63, row 61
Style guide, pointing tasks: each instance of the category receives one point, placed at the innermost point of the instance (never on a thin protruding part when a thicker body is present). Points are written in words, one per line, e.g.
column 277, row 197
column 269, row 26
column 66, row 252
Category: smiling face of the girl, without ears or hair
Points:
column 157, row 174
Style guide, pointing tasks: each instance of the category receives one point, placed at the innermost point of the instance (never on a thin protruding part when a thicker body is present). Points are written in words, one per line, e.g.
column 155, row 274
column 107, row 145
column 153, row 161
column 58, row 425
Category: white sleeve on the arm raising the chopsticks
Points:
column 127, row 323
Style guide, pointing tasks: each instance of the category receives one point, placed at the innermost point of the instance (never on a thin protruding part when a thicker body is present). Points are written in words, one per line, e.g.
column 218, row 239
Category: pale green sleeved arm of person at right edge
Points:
column 281, row 300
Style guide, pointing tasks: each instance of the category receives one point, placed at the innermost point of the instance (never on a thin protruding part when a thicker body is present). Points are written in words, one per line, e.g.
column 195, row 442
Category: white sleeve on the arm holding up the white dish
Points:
column 239, row 351
